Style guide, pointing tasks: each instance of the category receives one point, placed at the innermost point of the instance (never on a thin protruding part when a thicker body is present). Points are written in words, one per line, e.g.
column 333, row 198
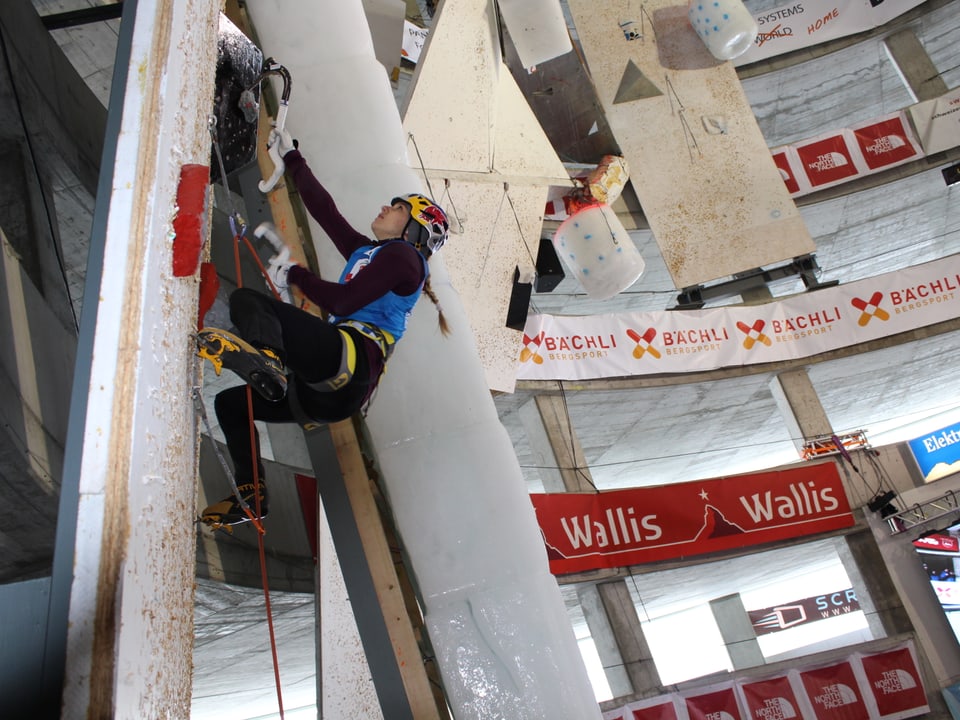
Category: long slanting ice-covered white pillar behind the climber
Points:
column 494, row 613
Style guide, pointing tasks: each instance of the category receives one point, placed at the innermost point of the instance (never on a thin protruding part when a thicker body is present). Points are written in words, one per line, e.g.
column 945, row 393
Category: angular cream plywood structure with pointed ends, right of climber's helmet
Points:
column 489, row 164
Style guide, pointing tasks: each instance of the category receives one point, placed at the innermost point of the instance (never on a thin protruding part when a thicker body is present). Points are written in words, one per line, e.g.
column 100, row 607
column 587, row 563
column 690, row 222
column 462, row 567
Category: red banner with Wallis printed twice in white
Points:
column 586, row 531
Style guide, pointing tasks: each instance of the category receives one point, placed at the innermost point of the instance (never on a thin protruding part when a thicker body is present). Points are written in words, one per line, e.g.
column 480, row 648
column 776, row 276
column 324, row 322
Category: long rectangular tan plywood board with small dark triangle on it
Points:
column 700, row 166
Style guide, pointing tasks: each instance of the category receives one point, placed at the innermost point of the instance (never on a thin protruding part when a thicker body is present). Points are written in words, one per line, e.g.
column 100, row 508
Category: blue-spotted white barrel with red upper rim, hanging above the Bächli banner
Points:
column 599, row 251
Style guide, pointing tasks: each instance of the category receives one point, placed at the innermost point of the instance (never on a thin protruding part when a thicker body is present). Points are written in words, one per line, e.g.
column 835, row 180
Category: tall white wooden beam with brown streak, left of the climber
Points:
column 131, row 612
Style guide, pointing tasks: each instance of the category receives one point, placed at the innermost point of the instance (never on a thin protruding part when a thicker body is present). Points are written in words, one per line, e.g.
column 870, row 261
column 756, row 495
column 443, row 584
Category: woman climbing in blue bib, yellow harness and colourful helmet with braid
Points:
column 305, row 368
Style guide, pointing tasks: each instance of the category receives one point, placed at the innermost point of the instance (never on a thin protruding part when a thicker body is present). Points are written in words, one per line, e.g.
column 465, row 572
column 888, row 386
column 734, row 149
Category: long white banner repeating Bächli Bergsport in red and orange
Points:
column 648, row 343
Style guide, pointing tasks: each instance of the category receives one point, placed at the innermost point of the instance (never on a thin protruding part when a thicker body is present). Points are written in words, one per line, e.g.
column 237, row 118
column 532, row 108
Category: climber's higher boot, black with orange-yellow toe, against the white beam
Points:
column 261, row 369
